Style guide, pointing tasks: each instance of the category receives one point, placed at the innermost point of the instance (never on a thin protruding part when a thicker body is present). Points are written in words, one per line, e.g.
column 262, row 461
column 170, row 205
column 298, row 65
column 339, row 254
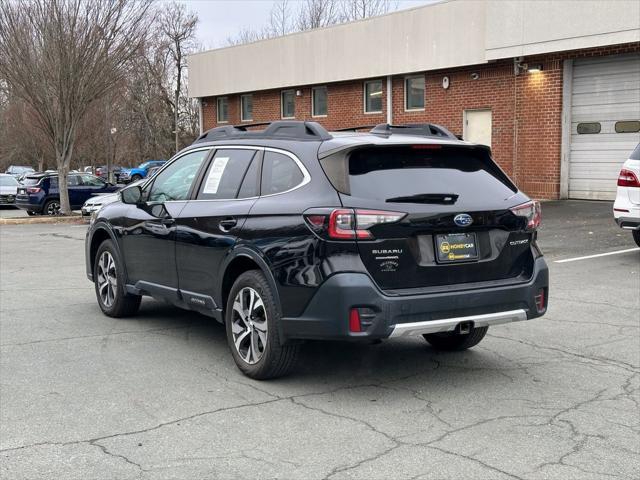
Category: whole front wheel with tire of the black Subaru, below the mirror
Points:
column 113, row 299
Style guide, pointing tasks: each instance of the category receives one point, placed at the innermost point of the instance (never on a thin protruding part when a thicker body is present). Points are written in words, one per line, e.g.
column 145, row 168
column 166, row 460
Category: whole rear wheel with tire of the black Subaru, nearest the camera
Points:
column 264, row 360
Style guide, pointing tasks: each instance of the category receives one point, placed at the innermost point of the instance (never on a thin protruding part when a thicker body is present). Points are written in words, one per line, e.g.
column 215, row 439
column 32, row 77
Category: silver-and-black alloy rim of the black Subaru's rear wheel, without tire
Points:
column 249, row 325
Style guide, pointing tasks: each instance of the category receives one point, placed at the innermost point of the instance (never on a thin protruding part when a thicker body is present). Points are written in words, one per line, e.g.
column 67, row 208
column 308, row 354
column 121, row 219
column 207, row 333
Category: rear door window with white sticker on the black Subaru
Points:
column 226, row 174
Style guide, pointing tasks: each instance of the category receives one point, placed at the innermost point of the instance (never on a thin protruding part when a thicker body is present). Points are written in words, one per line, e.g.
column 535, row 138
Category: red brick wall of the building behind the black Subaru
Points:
column 526, row 111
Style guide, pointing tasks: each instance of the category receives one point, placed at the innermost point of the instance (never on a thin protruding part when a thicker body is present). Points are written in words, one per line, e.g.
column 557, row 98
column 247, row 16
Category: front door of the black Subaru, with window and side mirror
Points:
column 148, row 231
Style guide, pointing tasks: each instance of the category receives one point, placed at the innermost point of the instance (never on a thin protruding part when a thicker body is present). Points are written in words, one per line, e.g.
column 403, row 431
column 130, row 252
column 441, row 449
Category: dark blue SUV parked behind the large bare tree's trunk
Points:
column 39, row 194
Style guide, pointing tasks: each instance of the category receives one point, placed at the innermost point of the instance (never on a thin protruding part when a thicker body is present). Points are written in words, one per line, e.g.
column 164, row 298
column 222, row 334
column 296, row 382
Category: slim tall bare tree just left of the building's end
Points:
column 178, row 28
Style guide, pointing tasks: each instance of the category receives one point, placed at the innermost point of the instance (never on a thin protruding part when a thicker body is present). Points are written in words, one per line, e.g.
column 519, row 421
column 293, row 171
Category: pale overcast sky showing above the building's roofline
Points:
column 220, row 19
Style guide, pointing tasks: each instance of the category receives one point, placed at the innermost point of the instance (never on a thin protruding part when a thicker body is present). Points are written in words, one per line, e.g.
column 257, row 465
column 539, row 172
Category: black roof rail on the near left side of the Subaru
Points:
column 286, row 129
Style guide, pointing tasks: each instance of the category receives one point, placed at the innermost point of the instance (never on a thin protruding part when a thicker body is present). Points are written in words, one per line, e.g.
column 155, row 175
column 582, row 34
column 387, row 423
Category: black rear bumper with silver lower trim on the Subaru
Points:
column 327, row 315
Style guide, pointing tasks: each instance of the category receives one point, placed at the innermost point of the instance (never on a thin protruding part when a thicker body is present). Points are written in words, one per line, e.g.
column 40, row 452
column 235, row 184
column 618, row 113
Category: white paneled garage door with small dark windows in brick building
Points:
column 605, row 123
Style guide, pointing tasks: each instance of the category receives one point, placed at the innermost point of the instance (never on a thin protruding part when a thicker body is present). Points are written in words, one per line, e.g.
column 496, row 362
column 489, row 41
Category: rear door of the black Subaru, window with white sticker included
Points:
column 209, row 225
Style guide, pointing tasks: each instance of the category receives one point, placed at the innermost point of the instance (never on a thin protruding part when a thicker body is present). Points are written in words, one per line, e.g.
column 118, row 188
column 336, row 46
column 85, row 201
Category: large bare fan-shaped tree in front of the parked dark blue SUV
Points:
column 60, row 56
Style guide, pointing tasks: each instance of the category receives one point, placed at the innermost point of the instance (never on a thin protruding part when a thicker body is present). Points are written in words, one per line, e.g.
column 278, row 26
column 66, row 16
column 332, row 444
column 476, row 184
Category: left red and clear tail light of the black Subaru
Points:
column 350, row 224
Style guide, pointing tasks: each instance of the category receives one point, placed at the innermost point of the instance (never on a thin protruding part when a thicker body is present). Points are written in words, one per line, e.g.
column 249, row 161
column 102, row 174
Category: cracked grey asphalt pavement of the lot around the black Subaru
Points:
column 157, row 396
